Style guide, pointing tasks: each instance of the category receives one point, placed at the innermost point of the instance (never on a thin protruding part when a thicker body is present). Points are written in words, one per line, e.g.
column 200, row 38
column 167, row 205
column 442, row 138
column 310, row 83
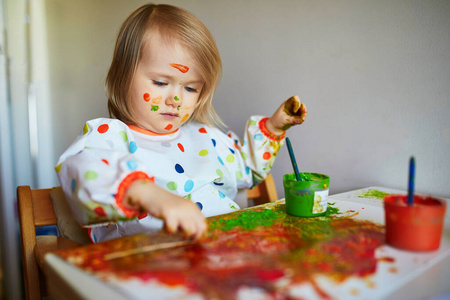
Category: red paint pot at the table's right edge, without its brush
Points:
column 416, row 227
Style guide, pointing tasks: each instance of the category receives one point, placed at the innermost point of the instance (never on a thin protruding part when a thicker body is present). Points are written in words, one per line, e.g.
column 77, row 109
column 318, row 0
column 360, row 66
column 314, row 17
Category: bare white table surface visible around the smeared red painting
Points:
column 419, row 276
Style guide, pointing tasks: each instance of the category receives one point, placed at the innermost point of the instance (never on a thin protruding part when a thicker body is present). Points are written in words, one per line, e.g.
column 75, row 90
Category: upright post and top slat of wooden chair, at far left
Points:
column 35, row 210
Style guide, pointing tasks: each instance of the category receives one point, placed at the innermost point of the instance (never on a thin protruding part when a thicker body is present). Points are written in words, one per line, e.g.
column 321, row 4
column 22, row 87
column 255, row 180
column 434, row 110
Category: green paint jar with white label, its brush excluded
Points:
column 306, row 198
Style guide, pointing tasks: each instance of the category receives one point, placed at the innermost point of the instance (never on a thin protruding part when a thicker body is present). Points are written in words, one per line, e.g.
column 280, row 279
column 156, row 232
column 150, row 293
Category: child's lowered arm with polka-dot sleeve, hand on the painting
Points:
column 99, row 170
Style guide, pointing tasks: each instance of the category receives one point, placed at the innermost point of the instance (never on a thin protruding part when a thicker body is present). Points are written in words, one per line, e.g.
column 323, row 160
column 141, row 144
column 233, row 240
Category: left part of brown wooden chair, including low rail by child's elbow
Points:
column 36, row 210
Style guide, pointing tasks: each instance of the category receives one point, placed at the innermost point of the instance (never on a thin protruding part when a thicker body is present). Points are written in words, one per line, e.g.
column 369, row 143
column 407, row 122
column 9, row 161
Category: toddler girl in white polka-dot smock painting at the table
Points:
column 164, row 161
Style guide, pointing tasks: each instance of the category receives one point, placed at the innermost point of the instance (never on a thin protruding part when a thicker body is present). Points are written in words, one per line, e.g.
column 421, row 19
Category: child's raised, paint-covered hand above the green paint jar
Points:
column 291, row 112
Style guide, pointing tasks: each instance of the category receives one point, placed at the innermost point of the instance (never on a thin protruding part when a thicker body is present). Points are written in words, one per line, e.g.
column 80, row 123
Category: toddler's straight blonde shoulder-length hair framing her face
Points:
column 171, row 23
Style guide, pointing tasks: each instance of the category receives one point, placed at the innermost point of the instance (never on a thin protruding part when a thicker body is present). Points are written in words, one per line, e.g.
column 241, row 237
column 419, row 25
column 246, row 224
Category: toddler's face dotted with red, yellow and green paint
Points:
column 165, row 88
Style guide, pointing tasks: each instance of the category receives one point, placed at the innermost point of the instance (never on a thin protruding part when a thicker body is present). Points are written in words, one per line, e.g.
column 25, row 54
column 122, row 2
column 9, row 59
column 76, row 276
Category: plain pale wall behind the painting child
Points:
column 375, row 76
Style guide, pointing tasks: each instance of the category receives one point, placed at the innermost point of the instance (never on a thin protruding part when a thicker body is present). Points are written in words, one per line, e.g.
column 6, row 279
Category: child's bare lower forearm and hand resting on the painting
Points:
column 178, row 213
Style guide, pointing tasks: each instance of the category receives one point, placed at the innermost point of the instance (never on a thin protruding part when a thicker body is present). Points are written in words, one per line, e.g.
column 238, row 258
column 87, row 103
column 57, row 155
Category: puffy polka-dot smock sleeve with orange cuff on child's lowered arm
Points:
column 96, row 170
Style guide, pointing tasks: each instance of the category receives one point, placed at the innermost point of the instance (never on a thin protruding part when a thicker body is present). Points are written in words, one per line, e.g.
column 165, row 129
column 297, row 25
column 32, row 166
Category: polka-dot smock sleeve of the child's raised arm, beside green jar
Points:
column 258, row 150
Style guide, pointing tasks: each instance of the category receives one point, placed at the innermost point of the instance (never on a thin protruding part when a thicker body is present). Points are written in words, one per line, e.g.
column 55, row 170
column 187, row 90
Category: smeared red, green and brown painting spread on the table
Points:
column 261, row 249
